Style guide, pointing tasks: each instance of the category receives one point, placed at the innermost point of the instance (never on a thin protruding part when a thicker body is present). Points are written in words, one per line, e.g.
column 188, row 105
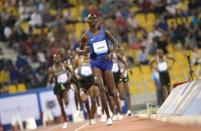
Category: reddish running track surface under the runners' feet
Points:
column 127, row 124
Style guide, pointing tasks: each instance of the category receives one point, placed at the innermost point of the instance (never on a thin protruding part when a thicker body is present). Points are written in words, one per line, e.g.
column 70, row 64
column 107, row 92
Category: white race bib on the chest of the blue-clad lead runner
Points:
column 100, row 47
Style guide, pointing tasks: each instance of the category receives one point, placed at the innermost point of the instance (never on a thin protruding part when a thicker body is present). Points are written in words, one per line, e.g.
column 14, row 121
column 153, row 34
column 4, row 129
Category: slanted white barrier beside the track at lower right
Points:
column 181, row 100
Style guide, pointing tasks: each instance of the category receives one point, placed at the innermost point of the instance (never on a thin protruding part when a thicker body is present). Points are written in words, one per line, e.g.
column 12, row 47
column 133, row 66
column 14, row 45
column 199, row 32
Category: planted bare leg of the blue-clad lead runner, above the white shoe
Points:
column 98, row 74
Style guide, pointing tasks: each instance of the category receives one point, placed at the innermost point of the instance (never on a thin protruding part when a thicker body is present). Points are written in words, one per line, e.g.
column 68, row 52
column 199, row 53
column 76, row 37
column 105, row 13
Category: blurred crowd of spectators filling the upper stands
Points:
column 116, row 15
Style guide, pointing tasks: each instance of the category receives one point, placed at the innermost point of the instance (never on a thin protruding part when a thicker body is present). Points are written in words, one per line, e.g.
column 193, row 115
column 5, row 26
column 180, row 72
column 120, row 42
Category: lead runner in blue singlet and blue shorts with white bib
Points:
column 95, row 42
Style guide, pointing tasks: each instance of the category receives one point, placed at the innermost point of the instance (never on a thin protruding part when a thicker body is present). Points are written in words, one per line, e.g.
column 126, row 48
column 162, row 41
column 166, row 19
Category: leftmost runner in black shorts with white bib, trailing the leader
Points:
column 60, row 74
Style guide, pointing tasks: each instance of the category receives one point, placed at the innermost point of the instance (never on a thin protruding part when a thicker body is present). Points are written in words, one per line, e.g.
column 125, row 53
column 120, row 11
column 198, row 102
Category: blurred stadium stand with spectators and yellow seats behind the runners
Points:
column 31, row 31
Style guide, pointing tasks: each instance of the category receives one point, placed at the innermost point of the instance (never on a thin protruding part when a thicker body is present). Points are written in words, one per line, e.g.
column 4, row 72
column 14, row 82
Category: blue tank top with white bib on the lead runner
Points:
column 98, row 44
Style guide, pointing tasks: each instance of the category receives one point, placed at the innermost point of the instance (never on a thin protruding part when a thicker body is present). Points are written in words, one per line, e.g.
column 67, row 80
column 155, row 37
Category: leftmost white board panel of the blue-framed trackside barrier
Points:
column 25, row 106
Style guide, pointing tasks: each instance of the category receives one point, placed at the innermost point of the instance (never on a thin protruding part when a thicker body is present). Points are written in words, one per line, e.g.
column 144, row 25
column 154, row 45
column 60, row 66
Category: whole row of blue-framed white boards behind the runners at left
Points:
column 31, row 104
